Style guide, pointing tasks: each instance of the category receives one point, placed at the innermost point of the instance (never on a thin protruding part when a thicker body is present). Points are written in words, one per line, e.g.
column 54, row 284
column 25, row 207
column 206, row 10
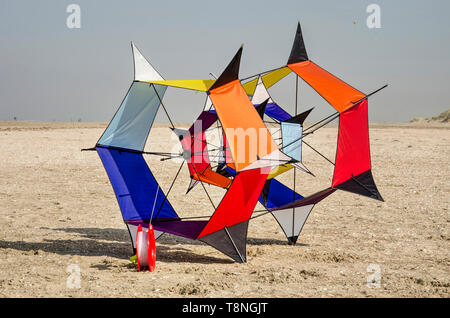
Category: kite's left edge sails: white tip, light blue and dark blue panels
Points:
column 120, row 149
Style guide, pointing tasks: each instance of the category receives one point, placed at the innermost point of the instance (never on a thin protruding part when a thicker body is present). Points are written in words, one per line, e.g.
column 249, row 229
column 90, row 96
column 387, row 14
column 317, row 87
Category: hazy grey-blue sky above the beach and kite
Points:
column 50, row 72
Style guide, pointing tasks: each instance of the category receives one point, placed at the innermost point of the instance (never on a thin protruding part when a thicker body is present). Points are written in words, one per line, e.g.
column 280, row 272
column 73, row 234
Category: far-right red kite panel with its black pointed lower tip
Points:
column 352, row 170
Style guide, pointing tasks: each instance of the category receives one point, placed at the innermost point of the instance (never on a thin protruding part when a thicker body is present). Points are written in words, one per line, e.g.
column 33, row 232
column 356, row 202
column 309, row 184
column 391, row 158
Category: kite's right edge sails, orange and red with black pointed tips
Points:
column 352, row 170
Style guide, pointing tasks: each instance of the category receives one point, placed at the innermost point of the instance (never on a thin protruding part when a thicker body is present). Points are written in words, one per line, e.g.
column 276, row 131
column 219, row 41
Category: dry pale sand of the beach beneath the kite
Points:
column 57, row 208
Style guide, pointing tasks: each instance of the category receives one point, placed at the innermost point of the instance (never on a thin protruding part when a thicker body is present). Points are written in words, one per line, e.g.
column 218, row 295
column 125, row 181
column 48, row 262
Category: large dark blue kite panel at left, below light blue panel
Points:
column 136, row 189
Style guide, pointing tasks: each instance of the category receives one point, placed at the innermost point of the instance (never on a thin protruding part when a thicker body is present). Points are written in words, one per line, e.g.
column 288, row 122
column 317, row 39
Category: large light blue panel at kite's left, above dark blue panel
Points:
column 131, row 124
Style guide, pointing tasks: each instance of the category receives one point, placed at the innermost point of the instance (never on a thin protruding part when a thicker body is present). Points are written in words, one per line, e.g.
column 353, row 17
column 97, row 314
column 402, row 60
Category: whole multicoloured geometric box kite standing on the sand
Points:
column 248, row 161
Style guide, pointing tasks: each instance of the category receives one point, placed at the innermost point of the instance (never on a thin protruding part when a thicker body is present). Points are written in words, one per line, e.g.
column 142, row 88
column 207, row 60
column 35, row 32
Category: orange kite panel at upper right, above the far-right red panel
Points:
column 335, row 91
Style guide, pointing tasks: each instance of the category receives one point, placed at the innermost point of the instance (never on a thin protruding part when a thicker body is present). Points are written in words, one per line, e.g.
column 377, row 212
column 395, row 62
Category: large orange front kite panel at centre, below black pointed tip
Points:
column 246, row 133
